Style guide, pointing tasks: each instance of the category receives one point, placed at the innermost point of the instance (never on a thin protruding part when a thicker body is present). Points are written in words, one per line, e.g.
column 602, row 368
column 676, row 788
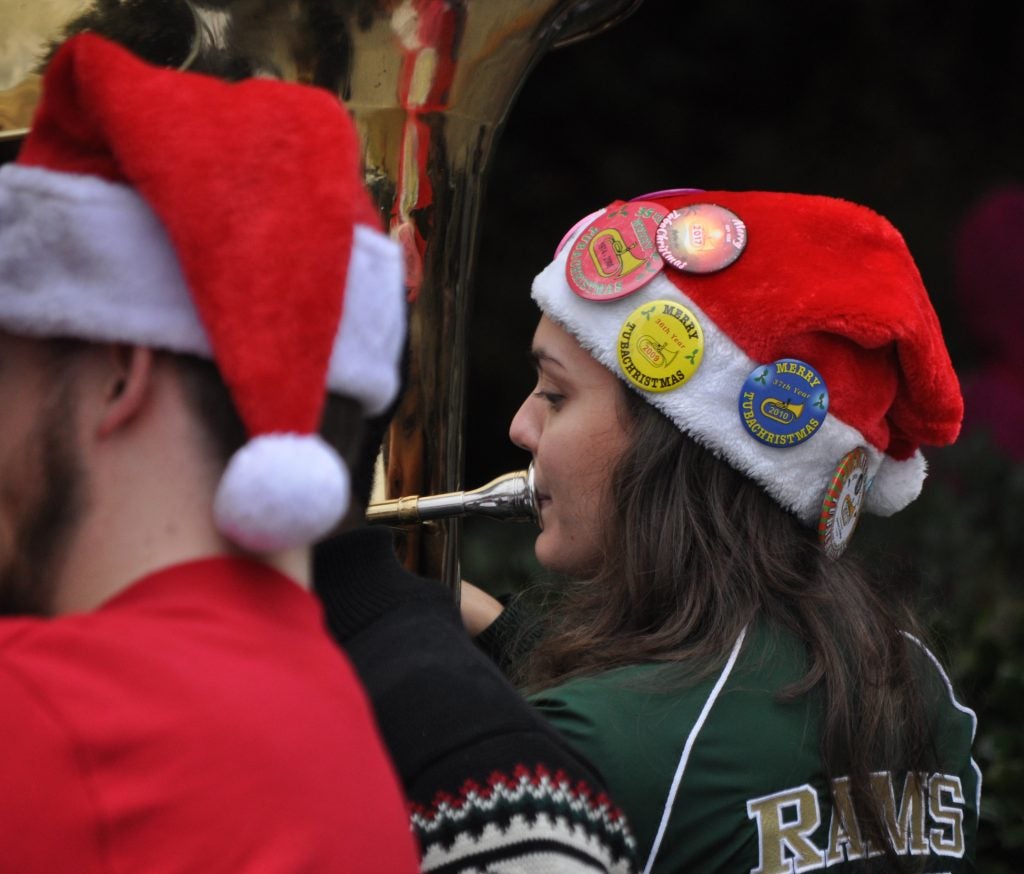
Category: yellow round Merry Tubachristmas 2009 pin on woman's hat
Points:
column 661, row 346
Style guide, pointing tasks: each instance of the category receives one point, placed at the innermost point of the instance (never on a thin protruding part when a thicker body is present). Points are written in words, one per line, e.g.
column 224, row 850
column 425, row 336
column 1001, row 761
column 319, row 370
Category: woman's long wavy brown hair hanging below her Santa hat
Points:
column 696, row 551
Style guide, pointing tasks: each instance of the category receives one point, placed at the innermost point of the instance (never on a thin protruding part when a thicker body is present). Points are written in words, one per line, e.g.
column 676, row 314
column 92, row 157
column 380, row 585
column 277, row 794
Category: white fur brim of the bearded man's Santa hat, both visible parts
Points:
column 83, row 257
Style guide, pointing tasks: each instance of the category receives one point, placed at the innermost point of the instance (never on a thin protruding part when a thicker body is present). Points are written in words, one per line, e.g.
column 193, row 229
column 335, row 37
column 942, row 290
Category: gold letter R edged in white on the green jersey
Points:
column 787, row 820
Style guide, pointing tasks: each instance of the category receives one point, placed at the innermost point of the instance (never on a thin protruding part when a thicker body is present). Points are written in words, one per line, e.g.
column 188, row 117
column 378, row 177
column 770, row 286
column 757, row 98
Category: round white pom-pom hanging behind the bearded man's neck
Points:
column 280, row 492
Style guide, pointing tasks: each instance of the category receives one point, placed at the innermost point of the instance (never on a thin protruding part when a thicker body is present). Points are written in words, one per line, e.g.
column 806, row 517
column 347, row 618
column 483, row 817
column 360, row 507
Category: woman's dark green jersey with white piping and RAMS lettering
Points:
column 722, row 776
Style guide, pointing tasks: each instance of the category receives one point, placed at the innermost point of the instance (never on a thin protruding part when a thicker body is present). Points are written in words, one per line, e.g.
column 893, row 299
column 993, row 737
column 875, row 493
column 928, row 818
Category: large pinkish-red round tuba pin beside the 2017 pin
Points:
column 616, row 255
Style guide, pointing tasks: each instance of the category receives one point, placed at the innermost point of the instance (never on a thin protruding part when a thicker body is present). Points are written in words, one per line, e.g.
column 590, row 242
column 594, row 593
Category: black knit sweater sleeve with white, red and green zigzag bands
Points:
column 490, row 783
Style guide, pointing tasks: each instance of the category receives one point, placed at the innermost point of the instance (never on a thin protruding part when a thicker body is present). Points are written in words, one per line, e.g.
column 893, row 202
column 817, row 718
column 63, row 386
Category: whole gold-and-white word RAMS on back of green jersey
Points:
column 928, row 817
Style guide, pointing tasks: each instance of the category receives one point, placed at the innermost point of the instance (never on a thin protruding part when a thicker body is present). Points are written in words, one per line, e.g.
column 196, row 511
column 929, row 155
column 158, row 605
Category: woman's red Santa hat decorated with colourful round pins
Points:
column 789, row 334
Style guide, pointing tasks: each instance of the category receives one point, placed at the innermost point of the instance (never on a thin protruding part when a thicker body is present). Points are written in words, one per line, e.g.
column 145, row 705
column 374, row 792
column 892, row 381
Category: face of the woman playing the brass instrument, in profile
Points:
column 573, row 424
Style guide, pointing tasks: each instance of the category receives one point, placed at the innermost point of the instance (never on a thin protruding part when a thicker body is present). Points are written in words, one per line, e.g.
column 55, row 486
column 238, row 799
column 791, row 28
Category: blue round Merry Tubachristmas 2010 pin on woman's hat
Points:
column 784, row 404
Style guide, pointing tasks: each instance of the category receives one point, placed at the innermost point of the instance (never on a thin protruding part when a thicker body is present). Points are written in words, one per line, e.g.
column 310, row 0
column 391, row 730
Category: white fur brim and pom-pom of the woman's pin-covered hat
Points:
column 707, row 407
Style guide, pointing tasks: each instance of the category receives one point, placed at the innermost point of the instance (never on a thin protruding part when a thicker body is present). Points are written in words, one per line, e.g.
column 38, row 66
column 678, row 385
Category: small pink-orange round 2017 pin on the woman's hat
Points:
column 701, row 239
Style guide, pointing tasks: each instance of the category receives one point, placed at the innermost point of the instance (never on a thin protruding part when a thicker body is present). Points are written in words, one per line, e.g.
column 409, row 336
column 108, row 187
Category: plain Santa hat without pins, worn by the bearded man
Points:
column 230, row 222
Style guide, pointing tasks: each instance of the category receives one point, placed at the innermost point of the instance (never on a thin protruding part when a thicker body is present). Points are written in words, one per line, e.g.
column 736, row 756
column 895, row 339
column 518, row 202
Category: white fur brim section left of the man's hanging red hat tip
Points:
column 83, row 257
